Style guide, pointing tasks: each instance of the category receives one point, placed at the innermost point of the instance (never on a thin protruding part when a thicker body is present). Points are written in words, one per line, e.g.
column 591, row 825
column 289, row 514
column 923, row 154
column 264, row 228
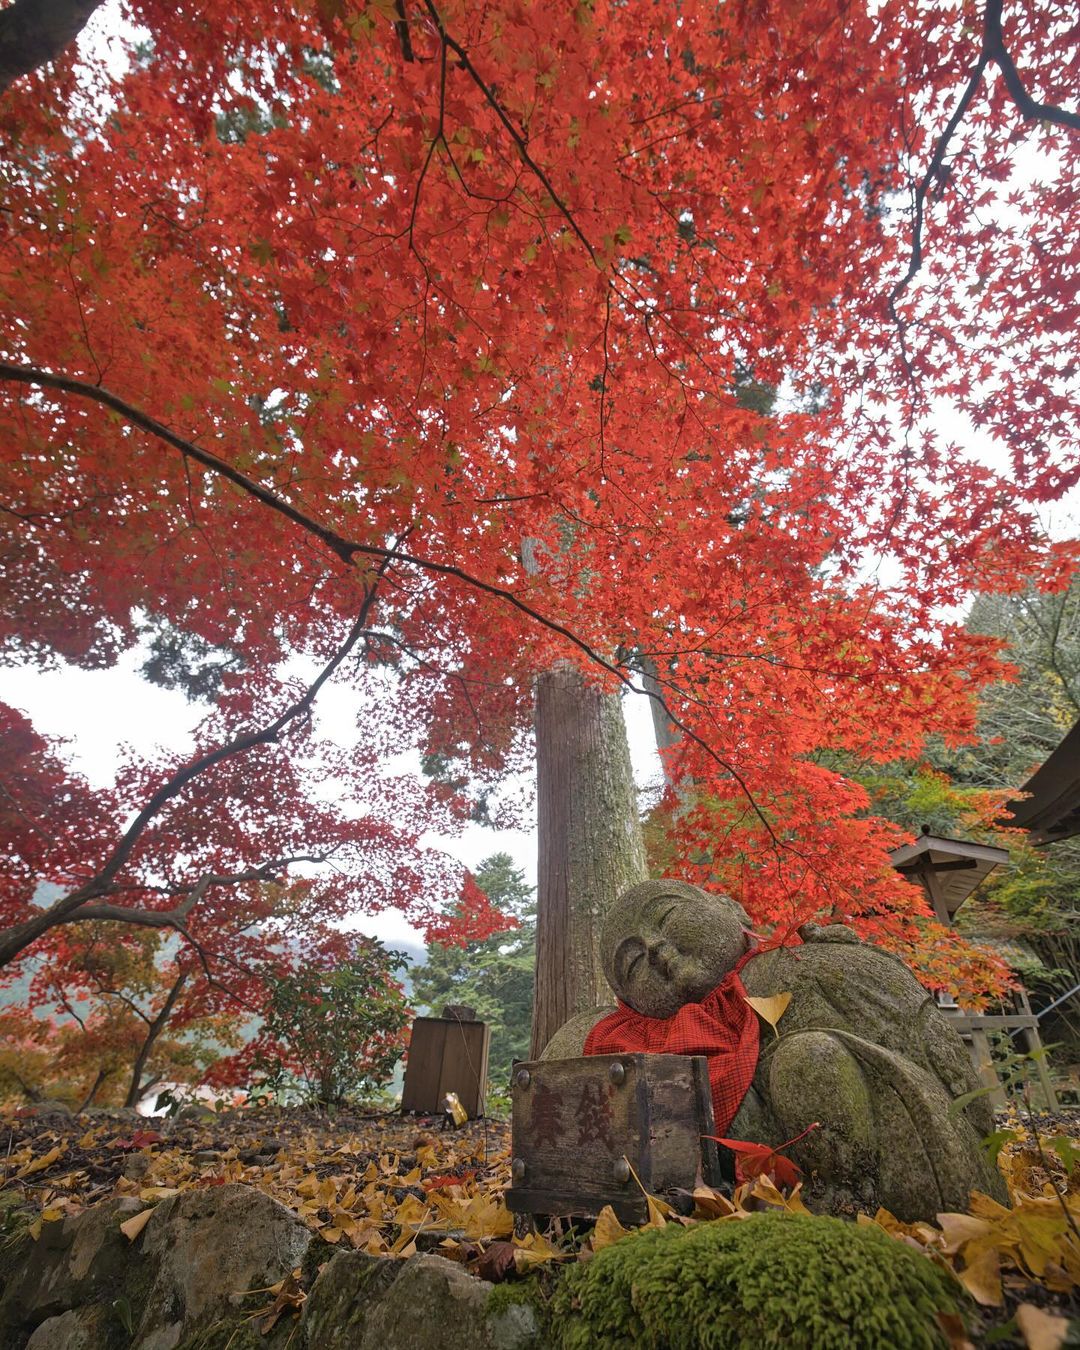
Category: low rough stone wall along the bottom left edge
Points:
column 196, row 1278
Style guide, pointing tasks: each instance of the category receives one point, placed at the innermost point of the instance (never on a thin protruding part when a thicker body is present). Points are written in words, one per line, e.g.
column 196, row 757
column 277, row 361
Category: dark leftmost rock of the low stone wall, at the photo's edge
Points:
column 84, row 1260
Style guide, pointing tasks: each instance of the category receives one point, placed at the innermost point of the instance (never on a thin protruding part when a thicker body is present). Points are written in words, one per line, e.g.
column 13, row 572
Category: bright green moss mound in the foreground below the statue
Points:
column 770, row 1282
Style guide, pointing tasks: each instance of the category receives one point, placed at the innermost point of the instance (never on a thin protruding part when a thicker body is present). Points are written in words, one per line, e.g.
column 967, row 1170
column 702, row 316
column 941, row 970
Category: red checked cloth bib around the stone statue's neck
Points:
column 723, row 1027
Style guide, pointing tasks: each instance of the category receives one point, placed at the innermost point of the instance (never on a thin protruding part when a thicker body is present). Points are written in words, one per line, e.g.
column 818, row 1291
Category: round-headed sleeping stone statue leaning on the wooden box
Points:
column 862, row 1050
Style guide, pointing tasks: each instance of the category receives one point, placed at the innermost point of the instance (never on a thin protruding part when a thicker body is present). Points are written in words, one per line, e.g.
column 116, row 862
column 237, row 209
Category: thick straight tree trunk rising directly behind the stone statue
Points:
column 591, row 846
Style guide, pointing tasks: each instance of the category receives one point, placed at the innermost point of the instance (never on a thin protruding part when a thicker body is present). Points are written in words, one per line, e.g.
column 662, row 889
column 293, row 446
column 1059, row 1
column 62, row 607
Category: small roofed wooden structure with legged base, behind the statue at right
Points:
column 950, row 871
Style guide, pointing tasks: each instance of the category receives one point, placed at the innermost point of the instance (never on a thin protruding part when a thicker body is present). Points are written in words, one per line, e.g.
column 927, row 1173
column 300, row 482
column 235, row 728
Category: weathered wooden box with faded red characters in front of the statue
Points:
column 584, row 1128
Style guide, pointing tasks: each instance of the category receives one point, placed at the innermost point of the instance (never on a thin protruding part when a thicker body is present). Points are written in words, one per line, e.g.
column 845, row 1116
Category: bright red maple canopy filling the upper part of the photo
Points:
column 319, row 313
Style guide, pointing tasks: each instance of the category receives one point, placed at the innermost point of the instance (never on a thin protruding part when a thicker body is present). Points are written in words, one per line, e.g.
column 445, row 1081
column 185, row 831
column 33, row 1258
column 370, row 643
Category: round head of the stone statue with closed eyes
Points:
column 668, row 943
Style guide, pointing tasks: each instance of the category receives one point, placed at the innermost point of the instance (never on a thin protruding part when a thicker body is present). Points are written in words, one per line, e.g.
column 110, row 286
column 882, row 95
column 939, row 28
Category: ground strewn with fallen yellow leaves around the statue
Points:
column 389, row 1186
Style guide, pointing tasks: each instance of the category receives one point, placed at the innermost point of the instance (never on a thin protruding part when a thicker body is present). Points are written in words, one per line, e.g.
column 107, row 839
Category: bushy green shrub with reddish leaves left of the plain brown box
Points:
column 334, row 1036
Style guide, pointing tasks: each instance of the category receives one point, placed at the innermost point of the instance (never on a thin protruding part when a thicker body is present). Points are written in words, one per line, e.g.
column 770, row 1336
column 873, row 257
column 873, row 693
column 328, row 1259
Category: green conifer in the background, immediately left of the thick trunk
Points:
column 495, row 977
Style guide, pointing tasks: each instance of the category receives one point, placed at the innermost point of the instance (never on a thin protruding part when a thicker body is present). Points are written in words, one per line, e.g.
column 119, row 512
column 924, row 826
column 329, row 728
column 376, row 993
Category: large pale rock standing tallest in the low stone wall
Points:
column 203, row 1252
